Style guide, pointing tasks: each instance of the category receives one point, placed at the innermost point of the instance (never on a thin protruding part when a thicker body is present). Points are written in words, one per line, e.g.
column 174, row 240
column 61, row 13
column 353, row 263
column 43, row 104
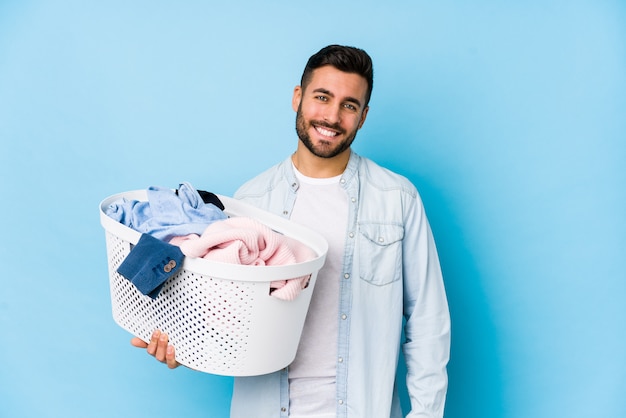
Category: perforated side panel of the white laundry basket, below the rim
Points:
column 207, row 319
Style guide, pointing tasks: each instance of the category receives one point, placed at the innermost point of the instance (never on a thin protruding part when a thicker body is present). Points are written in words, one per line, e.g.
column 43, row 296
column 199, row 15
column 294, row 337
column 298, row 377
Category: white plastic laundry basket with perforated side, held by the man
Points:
column 220, row 317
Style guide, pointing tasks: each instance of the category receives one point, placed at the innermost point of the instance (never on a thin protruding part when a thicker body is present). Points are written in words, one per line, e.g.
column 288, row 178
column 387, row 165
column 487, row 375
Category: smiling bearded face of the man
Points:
column 330, row 111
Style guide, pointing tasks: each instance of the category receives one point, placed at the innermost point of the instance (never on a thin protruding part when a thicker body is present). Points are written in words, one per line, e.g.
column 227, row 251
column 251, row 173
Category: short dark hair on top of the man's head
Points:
column 344, row 58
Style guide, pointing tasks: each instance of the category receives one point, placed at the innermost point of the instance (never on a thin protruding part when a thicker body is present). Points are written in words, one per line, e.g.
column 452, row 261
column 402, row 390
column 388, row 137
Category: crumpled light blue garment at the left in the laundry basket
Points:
column 167, row 213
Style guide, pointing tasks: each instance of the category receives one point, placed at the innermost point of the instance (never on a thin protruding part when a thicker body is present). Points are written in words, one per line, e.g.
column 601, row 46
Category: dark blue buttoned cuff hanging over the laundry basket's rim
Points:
column 150, row 263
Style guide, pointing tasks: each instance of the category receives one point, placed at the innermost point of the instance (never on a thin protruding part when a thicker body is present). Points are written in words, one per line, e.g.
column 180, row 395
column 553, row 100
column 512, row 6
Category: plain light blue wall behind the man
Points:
column 509, row 118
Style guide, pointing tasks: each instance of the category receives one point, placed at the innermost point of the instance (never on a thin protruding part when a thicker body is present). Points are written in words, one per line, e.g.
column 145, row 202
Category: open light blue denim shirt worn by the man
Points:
column 391, row 277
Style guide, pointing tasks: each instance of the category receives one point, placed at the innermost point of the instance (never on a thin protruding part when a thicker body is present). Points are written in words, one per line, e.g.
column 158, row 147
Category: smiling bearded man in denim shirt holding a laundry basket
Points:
column 382, row 266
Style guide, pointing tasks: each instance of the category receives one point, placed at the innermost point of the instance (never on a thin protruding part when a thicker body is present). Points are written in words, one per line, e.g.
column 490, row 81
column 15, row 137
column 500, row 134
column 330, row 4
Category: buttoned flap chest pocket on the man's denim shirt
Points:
column 380, row 252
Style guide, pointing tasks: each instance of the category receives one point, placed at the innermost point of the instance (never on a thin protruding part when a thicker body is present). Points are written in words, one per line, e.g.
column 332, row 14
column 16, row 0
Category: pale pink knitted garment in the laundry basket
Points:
column 242, row 240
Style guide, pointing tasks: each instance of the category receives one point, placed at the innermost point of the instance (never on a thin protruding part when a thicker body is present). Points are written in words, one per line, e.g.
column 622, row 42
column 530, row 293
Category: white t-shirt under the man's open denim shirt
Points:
column 322, row 205
